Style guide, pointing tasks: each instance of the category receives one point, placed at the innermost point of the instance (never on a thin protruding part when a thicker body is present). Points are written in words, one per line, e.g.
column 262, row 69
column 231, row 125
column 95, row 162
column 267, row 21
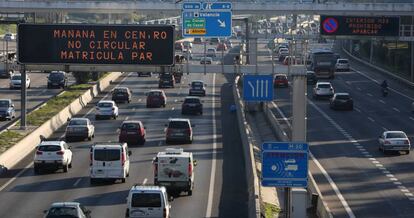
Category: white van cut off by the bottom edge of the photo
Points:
column 148, row 201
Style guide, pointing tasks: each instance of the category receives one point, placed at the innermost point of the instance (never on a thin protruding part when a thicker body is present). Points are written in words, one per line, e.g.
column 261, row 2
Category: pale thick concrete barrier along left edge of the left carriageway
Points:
column 25, row 146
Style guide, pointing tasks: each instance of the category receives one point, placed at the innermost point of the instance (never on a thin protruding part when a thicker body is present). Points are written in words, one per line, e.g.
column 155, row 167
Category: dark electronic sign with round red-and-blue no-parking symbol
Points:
column 359, row 26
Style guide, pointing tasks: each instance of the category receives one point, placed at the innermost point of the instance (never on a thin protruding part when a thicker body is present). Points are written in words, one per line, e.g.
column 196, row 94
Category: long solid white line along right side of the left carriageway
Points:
column 213, row 161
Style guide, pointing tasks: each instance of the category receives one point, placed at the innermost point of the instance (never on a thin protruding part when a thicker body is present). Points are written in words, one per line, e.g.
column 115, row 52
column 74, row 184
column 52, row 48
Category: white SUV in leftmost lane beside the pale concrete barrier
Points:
column 52, row 155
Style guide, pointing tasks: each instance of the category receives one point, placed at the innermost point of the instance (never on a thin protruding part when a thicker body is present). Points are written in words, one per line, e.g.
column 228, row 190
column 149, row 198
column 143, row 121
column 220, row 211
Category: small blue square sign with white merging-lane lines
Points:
column 258, row 88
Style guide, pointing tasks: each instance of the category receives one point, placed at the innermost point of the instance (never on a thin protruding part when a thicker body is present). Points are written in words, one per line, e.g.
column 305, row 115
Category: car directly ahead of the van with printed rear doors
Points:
column 179, row 130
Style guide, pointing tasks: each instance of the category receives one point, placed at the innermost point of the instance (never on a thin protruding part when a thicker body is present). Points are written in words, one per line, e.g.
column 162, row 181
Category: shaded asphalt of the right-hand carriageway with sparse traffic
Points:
column 345, row 144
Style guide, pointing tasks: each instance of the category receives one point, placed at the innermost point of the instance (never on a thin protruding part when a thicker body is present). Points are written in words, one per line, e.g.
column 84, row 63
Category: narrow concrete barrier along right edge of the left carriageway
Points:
column 251, row 173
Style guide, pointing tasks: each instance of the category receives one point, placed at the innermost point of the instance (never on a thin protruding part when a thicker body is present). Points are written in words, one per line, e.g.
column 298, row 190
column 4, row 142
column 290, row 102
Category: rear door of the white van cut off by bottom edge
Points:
column 147, row 204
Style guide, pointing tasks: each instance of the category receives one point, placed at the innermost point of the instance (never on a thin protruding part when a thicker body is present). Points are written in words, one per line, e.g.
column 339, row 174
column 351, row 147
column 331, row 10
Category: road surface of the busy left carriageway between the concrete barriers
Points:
column 219, row 176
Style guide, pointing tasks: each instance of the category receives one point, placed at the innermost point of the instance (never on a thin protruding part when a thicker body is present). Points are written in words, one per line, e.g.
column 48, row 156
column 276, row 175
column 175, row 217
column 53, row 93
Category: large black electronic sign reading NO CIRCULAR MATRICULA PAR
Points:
column 95, row 44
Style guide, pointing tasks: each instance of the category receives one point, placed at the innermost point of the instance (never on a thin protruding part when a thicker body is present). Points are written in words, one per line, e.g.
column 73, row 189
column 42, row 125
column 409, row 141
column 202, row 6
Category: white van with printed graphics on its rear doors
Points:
column 173, row 168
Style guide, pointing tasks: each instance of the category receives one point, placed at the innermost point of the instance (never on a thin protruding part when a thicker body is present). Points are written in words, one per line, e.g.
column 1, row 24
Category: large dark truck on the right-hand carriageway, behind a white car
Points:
column 322, row 62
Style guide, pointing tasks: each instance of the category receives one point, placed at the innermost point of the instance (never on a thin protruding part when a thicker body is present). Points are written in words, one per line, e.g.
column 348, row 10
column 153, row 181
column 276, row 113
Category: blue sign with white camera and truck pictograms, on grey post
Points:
column 285, row 164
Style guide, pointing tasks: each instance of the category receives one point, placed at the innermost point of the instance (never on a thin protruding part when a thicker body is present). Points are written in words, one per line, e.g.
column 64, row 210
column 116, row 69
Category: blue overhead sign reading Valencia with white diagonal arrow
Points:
column 206, row 19
